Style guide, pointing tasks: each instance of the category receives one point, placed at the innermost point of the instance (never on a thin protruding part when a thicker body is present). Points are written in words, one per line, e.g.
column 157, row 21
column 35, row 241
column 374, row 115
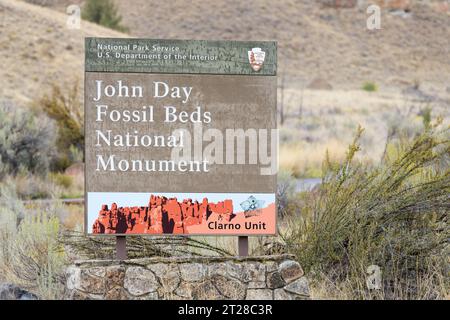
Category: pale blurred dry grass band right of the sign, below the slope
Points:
column 329, row 119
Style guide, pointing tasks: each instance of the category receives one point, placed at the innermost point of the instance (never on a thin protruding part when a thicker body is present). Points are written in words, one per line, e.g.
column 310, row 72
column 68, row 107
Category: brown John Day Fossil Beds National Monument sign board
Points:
column 180, row 137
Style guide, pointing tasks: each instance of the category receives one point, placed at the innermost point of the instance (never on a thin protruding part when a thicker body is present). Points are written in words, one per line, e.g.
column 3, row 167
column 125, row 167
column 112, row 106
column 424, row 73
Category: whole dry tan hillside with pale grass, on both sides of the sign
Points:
column 326, row 54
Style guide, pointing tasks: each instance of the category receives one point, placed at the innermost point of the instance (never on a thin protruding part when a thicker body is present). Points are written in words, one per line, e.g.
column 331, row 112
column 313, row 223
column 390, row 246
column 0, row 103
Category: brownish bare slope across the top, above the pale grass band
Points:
column 314, row 41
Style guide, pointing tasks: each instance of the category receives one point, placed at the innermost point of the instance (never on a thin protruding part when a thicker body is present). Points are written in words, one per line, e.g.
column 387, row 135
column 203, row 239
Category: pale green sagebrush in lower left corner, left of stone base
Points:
column 30, row 254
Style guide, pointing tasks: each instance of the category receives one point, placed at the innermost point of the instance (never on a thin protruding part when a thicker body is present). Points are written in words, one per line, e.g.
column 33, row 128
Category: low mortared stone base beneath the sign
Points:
column 213, row 278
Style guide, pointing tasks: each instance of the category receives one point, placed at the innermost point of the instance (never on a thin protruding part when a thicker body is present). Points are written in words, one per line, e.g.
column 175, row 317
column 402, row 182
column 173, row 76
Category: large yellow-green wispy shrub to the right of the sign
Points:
column 393, row 215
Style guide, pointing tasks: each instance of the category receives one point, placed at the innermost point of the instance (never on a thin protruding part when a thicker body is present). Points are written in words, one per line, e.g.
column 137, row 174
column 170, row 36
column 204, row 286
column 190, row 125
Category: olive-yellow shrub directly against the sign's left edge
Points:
column 66, row 110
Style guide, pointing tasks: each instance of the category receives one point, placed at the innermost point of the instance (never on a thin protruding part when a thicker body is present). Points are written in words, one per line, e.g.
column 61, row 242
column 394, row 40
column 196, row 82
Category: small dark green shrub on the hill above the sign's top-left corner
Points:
column 103, row 12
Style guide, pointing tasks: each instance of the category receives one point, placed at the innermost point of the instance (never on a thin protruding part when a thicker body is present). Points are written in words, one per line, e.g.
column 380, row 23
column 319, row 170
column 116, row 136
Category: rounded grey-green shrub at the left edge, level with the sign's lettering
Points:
column 26, row 141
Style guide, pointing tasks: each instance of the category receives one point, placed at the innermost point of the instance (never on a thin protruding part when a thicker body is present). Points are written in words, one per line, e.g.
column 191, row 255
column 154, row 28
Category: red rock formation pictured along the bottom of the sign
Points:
column 162, row 215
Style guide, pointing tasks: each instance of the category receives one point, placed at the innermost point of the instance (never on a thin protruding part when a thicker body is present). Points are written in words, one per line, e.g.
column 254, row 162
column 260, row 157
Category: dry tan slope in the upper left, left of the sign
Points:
column 38, row 50
